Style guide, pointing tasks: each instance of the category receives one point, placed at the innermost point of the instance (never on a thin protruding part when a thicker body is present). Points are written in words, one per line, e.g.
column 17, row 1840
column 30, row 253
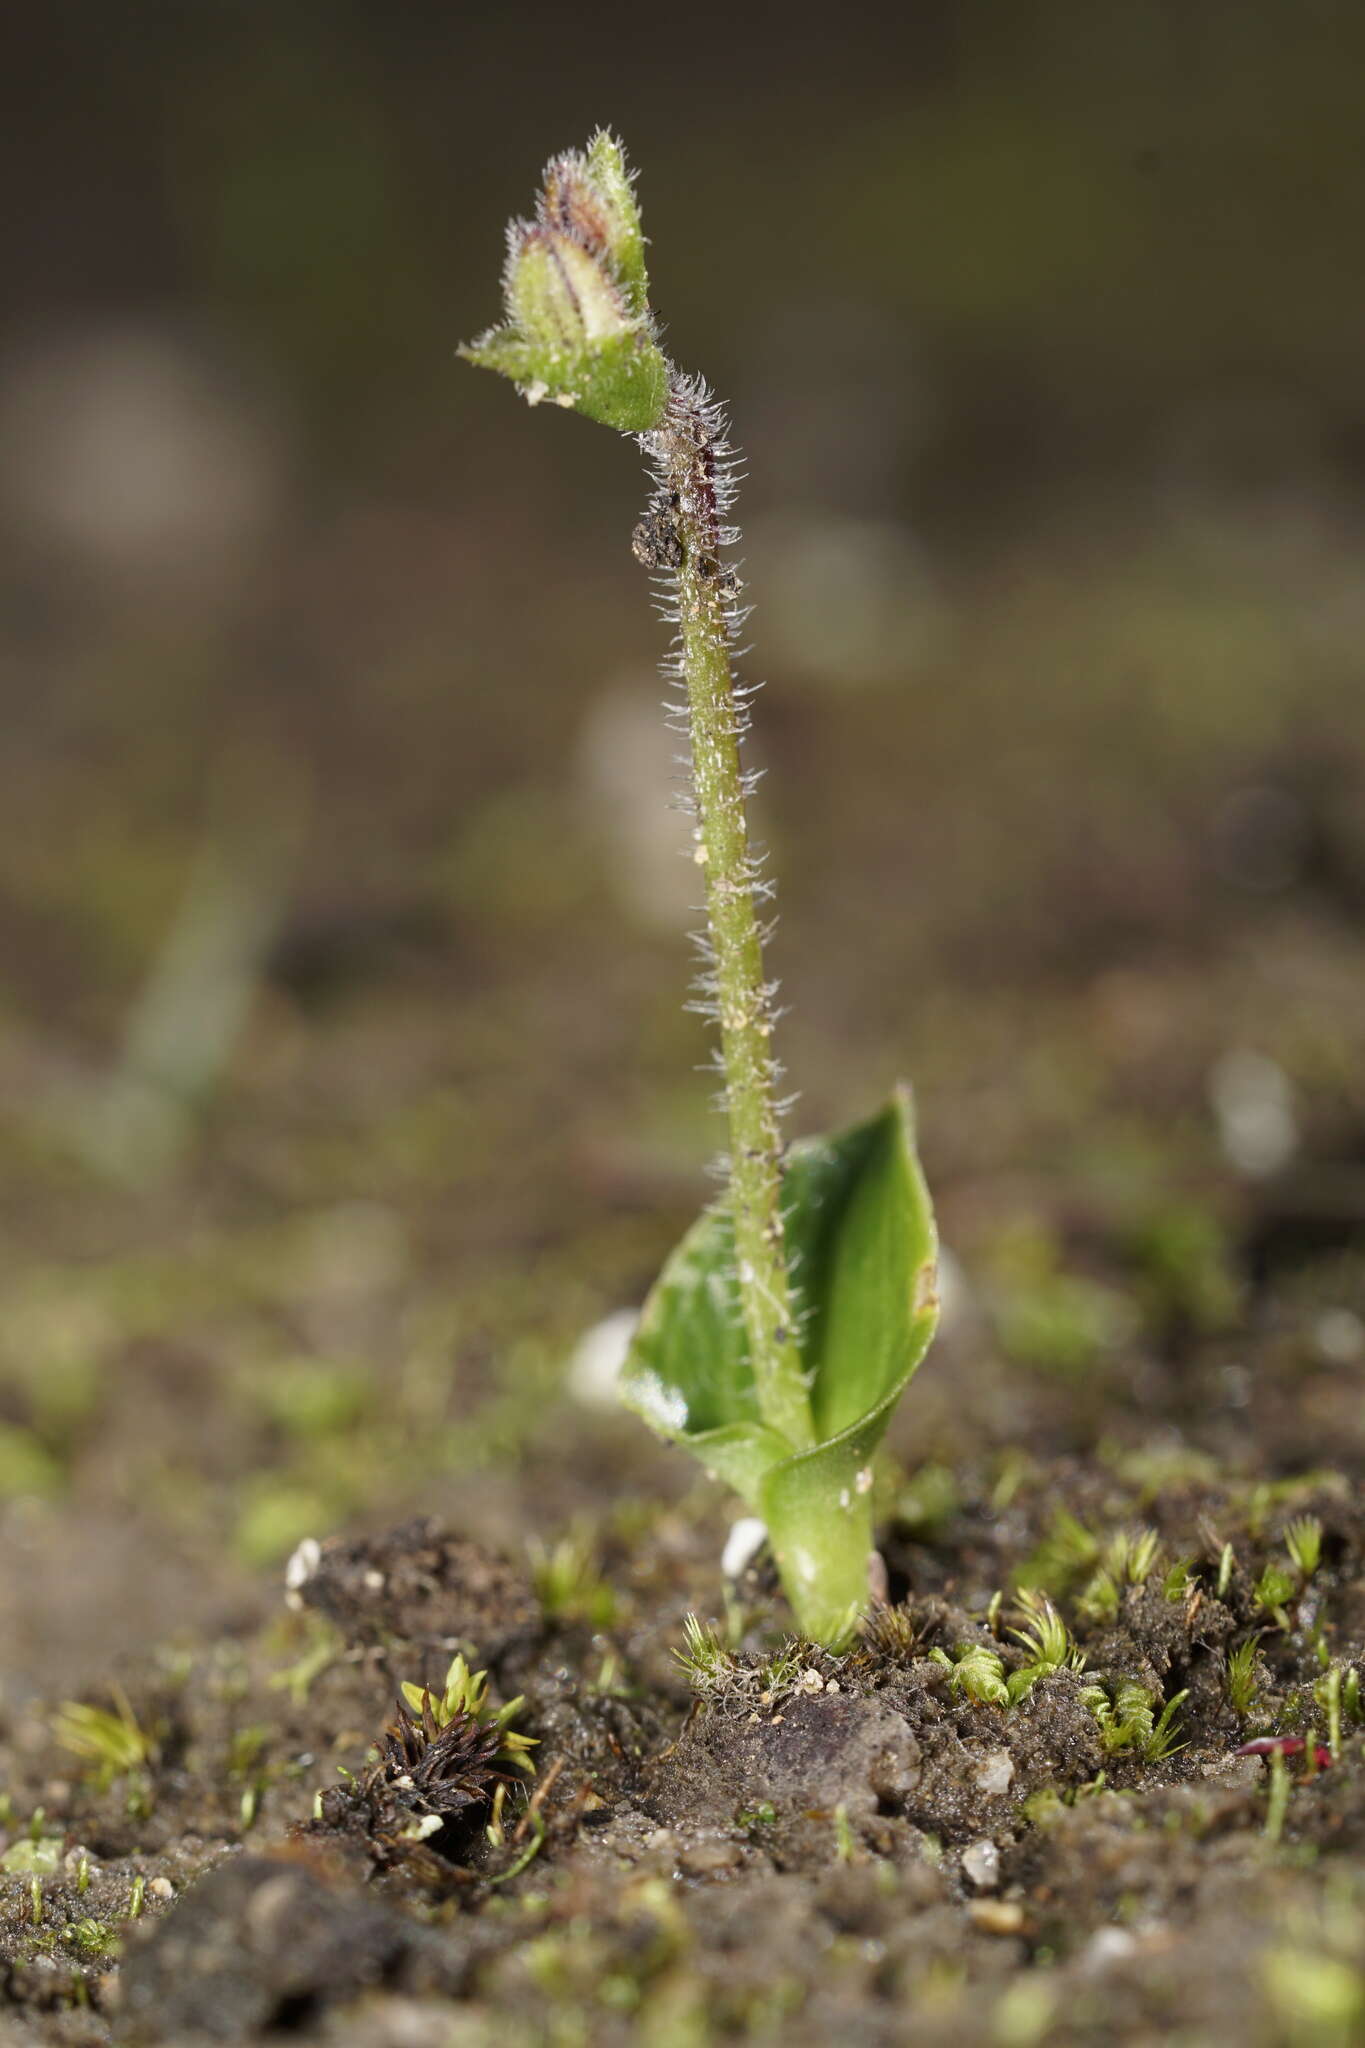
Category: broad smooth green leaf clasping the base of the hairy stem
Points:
column 863, row 1252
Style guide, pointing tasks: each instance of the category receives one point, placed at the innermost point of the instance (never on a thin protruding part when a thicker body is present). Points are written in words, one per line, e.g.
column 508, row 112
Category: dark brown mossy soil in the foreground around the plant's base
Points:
column 824, row 1846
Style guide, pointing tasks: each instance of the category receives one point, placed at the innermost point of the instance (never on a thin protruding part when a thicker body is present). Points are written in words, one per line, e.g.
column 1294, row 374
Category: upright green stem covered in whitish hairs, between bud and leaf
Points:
column 685, row 531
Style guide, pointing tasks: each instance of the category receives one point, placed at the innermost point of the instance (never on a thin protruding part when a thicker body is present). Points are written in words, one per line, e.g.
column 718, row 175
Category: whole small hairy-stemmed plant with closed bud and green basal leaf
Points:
column 791, row 1318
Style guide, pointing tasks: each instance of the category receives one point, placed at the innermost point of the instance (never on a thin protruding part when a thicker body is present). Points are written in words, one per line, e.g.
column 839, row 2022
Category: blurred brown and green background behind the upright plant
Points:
column 343, row 1068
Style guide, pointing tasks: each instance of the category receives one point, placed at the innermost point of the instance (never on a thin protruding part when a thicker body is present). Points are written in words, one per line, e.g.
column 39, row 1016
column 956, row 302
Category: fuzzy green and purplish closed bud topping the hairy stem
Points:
column 578, row 327
